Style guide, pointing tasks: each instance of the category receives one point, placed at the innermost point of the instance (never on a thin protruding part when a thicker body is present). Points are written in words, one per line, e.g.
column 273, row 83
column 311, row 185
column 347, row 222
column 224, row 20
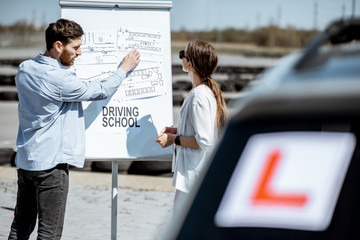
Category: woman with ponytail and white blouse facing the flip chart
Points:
column 201, row 116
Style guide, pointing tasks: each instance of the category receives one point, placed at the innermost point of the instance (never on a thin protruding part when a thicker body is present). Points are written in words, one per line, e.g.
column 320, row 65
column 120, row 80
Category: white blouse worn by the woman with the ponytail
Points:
column 197, row 118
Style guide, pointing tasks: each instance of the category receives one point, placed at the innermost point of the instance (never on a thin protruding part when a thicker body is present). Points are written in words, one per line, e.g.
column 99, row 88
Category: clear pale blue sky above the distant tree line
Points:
column 205, row 15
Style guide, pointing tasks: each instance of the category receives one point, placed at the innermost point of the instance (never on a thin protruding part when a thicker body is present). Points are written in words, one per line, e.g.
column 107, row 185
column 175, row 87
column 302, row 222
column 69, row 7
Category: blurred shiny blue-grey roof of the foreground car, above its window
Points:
column 334, row 74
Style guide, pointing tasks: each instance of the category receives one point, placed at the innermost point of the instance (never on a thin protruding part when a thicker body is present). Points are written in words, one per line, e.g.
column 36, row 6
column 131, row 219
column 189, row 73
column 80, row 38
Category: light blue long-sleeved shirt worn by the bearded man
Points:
column 51, row 121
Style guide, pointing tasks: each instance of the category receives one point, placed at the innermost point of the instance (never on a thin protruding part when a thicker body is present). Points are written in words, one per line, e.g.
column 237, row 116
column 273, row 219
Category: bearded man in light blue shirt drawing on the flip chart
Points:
column 51, row 132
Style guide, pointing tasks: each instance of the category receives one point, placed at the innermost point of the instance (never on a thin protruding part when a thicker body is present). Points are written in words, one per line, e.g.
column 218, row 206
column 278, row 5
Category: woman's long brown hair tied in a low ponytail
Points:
column 204, row 59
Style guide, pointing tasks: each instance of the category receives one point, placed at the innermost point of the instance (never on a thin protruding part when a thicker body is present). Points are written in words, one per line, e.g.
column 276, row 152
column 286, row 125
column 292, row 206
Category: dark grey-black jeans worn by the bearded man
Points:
column 43, row 193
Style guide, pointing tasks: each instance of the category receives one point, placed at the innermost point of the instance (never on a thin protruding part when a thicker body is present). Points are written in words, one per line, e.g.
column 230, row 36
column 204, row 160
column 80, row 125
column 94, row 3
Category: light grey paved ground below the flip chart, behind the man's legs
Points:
column 144, row 205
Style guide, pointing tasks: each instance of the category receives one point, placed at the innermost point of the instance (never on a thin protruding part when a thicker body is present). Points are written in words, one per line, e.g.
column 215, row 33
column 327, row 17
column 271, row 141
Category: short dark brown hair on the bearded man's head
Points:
column 63, row 30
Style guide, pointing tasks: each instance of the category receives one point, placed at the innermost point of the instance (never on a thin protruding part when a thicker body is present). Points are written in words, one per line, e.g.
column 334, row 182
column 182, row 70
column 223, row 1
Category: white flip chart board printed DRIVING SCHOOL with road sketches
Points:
column 125, row 126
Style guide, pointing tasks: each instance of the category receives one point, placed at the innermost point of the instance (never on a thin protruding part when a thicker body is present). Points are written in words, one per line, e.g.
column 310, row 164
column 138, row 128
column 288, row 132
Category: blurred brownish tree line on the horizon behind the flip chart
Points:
column 27, row 34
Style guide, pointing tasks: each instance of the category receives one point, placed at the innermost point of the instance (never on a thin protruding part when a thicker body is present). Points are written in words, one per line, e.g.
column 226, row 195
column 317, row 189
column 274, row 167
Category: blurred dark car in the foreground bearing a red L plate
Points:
column 287, row 163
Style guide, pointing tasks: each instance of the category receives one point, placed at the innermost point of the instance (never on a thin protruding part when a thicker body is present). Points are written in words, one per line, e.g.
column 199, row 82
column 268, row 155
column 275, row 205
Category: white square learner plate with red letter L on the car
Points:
column 288, row 180
